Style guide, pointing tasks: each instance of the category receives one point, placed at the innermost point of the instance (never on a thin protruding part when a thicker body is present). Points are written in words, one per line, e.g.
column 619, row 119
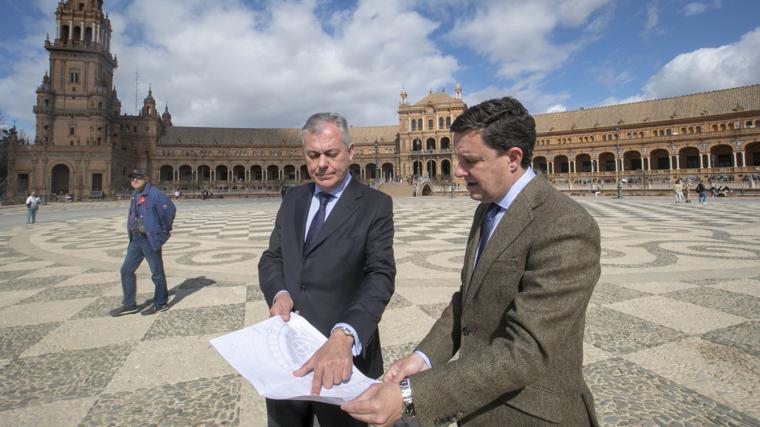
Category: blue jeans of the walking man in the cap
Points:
column 139, row 248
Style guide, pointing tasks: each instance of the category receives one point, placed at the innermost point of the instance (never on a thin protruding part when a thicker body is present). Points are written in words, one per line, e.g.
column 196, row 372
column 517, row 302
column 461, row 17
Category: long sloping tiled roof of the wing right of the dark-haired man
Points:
column 678, row 107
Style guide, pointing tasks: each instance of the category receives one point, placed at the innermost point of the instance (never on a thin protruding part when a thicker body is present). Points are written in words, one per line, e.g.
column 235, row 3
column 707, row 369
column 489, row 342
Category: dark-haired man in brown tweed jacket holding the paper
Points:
column 531, row 263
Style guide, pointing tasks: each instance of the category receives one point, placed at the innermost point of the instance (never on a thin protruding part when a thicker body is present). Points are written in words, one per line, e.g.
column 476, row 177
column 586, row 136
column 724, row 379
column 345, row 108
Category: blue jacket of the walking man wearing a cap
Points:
column 158, row 215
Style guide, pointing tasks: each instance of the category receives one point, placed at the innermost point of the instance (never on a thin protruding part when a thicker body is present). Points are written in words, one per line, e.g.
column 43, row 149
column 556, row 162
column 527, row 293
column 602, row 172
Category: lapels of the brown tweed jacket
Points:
column 515, row 221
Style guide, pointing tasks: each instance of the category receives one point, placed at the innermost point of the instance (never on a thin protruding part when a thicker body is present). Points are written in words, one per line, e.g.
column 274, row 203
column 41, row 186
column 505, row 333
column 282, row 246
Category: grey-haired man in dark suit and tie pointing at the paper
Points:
column 330, row 258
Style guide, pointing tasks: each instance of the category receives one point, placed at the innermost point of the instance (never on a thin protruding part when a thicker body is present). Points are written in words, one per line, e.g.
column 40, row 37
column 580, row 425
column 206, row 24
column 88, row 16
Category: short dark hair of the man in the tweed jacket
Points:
column 503, row 123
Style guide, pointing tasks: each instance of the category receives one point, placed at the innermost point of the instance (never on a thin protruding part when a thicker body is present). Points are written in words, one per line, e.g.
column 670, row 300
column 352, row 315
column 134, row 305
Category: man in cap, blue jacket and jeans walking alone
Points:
column 149, row 223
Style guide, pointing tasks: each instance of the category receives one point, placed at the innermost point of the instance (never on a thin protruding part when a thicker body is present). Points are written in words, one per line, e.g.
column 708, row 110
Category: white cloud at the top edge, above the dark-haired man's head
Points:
column 518, row 36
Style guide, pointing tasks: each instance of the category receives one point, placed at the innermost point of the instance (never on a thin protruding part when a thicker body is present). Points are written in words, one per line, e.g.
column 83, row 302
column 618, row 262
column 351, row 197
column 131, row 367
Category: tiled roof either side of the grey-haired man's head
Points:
column 177, row 135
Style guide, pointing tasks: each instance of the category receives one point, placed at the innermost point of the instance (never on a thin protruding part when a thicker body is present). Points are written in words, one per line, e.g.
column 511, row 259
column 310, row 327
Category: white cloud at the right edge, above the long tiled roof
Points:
column 706, row 69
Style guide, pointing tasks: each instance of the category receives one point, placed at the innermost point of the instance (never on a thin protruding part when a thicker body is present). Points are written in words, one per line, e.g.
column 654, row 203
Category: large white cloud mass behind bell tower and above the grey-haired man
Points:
column 225, row 64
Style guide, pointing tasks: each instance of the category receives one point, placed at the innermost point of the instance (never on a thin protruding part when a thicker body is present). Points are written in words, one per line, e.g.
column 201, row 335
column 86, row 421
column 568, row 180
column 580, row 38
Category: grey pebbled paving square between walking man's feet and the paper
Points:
column 198, row 321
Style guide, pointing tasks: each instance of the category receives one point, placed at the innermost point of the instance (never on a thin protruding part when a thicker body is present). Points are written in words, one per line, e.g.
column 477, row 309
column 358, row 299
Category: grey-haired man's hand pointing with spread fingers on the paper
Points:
column 331, row 364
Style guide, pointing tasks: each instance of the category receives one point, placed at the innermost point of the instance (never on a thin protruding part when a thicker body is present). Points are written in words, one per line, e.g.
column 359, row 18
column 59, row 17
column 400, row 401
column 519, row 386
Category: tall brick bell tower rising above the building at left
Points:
column 75, row 102
